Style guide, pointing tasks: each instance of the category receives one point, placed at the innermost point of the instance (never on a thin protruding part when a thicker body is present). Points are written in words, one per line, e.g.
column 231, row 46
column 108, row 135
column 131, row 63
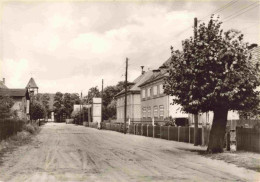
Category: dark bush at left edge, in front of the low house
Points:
column 6, row 104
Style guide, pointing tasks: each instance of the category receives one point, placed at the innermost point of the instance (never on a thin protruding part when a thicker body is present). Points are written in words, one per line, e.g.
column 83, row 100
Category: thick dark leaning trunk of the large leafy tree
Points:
column 217, row 133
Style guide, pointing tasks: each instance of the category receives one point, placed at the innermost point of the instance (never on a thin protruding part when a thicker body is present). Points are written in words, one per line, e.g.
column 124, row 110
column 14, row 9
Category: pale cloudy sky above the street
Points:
column 70, row 46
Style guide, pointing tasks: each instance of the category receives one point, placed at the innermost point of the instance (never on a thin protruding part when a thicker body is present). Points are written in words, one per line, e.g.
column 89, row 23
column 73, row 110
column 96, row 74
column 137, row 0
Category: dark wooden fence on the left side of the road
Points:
column 10, row 127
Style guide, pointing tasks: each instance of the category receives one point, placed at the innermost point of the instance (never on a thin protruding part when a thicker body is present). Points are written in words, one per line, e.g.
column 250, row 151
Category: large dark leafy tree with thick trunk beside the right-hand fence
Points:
column 214, row 72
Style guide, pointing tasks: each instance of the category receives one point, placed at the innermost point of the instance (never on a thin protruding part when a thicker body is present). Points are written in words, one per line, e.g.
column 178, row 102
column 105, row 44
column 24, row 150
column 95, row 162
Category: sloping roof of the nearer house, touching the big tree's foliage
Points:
column 161, row 73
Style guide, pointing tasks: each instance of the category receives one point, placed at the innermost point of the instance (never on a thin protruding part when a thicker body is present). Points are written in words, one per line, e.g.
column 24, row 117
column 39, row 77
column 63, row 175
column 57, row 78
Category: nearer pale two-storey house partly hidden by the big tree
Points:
column 154, row 102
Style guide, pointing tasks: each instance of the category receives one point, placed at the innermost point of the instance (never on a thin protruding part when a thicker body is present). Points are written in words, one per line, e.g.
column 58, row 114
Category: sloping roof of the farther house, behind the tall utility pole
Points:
column 138, row 81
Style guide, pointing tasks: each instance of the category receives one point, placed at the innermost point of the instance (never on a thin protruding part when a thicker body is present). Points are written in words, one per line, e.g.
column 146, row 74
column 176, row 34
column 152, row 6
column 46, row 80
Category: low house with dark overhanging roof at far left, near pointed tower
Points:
column 21, row 101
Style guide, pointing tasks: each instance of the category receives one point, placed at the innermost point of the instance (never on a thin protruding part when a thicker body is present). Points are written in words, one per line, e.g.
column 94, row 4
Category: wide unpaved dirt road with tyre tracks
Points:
column 63, row 152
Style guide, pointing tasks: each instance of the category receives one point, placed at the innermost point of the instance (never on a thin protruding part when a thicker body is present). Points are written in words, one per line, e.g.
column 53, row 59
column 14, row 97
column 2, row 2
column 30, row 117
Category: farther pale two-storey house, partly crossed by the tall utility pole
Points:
column 133, row 99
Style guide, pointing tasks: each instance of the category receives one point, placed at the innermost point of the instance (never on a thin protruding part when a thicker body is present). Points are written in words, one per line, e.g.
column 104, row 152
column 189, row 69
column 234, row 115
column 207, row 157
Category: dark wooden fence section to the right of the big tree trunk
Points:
column 248, row 139
